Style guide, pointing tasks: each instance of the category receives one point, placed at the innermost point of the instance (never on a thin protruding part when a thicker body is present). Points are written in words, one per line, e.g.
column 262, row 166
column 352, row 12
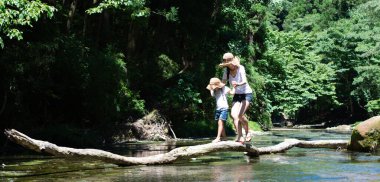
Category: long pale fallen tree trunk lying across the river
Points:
column 169, row 157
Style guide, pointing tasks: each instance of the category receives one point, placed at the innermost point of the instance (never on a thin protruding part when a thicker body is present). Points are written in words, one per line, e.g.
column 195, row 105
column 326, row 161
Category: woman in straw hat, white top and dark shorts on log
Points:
column 235, row 74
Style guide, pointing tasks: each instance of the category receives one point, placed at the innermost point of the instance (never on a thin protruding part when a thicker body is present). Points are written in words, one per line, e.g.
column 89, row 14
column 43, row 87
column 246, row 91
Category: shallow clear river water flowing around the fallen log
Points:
column 297, row 164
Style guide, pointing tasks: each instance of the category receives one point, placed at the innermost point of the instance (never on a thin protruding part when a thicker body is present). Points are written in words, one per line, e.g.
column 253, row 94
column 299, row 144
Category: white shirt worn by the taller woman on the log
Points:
column 239, row 77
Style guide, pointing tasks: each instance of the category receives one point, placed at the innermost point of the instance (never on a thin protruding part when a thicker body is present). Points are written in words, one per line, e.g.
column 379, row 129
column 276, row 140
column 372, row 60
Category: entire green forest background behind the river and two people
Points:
column 83, row 69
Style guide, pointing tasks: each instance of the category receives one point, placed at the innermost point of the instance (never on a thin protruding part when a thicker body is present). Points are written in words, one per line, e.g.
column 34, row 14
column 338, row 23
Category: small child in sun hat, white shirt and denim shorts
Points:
column 219, row 91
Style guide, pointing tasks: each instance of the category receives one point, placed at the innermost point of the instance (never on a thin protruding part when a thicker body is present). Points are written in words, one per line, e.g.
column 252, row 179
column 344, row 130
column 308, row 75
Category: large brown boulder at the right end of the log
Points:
column 366, row 135
